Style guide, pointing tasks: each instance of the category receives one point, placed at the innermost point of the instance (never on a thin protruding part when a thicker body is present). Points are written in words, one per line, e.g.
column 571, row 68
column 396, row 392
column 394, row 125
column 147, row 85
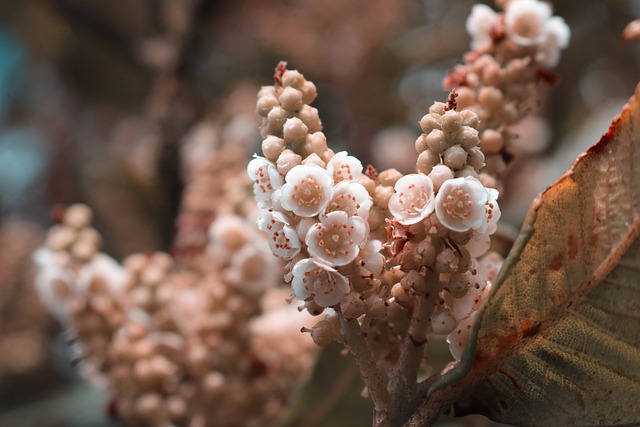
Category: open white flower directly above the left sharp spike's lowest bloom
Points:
column 336, row 238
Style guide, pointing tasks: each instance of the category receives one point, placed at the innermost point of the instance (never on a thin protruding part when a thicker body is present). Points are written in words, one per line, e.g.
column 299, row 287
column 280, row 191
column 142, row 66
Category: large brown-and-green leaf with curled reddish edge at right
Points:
column 558, row 343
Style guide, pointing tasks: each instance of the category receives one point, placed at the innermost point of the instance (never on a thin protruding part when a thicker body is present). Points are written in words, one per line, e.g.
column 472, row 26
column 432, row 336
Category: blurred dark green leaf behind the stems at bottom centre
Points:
column 331, row 397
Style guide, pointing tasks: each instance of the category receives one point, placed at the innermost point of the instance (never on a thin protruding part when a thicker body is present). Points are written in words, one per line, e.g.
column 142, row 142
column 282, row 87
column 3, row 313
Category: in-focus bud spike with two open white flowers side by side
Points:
column 441, row 220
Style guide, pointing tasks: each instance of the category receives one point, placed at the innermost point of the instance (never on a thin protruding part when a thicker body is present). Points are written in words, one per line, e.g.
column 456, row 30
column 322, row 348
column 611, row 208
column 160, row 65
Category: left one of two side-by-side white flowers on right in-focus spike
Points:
column 413, row 200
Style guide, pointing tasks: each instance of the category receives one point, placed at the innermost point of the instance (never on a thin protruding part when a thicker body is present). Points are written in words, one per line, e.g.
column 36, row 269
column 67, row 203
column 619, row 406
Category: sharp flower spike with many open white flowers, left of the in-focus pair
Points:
column 316, row 201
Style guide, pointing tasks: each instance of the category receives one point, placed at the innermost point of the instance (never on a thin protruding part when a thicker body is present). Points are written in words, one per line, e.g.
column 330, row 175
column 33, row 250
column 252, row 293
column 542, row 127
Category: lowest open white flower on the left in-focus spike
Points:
column 315, row 280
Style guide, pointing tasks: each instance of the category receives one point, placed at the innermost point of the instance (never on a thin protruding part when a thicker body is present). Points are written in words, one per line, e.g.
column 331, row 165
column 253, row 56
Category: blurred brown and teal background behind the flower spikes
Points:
column 96, row 97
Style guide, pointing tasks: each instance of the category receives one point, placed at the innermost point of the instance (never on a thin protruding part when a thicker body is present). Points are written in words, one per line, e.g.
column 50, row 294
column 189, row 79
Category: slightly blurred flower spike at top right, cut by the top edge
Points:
column 513, row 51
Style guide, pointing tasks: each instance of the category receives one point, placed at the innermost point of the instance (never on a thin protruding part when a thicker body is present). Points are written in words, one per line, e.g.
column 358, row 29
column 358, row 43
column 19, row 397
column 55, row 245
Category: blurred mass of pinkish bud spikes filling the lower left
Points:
column 191, row 339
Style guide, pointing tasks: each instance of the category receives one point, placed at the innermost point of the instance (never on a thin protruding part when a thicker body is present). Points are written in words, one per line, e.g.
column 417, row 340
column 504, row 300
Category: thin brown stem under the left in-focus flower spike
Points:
column 370, row 373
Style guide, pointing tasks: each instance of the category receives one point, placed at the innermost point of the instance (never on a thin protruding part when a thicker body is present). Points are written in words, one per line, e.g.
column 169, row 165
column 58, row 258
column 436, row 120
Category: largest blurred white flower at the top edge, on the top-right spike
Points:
column 525, row 21
